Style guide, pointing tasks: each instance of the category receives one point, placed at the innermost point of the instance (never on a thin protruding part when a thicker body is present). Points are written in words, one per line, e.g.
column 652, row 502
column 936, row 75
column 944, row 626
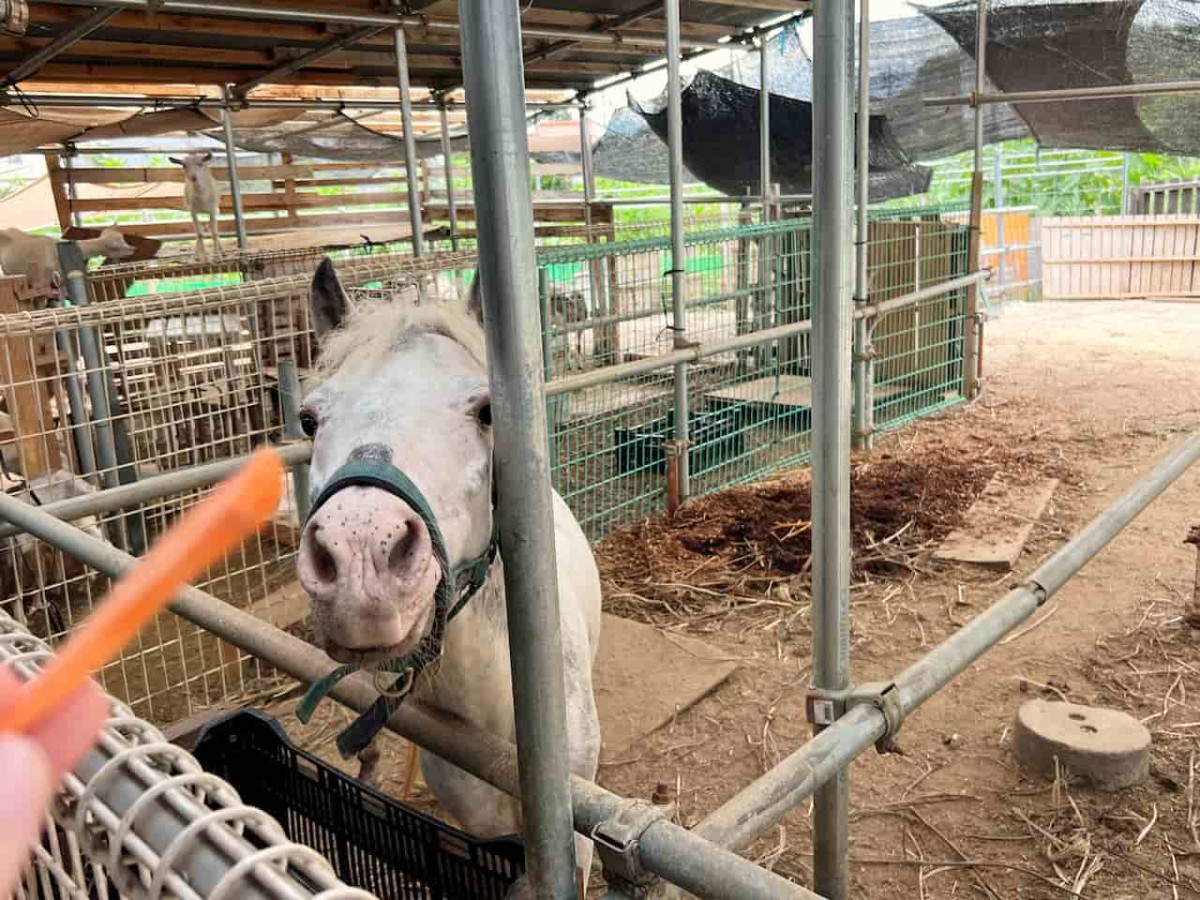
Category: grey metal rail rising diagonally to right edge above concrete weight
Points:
column 767, row 801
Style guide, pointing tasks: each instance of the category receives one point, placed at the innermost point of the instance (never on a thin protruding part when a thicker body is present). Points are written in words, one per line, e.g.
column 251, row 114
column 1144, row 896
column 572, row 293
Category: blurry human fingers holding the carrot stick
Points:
column 32, row 767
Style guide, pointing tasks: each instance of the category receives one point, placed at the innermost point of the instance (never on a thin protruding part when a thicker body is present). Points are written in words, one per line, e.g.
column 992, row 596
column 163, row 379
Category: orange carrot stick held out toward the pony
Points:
column 209, row 531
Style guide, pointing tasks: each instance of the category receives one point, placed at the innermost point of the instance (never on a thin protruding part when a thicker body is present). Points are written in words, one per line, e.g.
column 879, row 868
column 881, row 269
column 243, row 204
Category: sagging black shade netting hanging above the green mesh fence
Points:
column 722, row 135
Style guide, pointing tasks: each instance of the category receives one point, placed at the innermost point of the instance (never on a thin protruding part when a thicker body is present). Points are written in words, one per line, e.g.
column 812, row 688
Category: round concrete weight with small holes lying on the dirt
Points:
column 1108, row 747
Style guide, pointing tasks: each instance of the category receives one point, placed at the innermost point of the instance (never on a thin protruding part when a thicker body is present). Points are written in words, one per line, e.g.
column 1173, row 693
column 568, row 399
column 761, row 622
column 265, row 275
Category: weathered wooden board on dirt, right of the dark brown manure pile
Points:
column 998, row 525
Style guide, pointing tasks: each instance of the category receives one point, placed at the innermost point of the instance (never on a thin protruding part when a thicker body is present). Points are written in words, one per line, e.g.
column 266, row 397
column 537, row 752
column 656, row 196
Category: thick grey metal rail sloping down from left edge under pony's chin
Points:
column 665, row 849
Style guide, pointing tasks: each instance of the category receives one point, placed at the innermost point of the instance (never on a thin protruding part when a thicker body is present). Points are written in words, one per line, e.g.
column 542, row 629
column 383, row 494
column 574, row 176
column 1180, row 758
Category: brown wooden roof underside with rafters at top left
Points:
column 571, row 45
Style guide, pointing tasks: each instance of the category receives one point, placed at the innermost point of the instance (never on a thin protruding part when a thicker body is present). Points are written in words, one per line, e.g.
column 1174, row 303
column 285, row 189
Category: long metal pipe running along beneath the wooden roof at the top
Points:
column 266, row 13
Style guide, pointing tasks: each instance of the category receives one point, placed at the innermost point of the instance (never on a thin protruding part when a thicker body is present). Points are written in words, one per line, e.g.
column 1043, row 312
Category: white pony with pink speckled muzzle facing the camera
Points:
column 409, row 386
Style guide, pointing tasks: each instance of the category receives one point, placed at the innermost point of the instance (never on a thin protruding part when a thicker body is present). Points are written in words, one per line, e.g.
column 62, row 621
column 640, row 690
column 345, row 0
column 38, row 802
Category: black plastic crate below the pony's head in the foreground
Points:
column 374, row 842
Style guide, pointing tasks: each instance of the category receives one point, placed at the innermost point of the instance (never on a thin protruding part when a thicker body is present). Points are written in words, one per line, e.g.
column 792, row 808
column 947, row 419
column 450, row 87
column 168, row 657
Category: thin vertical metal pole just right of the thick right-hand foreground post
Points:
column 863, row 428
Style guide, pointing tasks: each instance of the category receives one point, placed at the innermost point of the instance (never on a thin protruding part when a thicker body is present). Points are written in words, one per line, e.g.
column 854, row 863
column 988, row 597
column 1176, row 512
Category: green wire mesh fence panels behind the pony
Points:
column 749, row 411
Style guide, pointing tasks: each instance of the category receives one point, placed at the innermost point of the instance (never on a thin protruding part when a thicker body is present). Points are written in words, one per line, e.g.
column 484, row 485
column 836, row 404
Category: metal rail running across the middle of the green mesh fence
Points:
column 741, row 343
